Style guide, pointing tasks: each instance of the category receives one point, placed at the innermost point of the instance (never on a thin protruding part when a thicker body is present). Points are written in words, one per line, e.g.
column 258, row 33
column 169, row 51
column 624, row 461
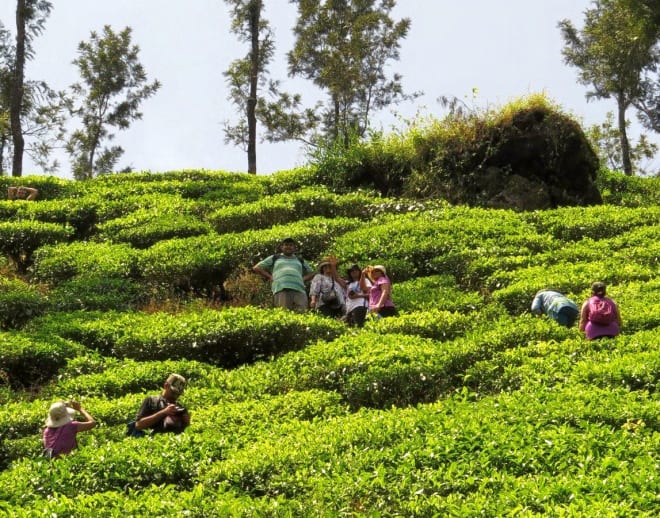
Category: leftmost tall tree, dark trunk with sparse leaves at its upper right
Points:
column 30, row 20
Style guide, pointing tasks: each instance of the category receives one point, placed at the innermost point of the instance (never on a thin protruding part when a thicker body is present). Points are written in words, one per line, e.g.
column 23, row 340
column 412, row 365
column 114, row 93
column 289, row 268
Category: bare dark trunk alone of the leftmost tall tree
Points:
column 16, row 103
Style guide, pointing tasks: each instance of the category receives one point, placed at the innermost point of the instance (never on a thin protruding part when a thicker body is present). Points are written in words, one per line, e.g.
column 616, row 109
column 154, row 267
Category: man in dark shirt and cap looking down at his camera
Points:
column 162, row 413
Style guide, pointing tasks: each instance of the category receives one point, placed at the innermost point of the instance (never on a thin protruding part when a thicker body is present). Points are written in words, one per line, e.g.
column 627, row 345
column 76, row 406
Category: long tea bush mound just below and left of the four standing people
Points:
column 228, row 338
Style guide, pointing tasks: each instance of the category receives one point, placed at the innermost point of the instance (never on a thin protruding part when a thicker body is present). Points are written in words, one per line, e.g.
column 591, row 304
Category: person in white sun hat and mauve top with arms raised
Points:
column 59, row 436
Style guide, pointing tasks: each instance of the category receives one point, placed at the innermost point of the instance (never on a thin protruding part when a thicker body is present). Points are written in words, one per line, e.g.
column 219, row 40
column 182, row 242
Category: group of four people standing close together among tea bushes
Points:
column 361, row 292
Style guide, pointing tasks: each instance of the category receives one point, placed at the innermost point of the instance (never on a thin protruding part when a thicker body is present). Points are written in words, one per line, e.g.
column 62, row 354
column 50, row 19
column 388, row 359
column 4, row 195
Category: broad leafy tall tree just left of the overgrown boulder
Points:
column 343, row 47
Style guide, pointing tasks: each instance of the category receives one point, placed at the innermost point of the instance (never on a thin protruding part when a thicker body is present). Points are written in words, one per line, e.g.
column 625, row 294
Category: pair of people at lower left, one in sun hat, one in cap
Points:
column 158, row 414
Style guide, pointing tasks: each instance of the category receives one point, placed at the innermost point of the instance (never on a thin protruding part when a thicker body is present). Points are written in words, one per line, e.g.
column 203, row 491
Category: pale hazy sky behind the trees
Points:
column 484, row 52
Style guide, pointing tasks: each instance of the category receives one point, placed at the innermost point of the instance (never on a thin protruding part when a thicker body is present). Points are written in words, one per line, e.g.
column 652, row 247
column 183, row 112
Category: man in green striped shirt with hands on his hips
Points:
column 288, row 274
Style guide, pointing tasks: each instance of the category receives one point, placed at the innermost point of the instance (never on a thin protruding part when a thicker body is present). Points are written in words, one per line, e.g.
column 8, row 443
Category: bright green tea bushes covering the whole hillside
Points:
column 464, row 404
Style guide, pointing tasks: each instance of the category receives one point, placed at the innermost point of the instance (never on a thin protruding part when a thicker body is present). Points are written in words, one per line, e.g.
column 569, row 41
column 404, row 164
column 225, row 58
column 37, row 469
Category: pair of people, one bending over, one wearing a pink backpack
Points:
column 599, row 315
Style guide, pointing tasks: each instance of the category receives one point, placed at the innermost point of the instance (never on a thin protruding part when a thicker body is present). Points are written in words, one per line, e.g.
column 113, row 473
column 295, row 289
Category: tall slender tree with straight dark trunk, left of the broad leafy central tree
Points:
column 246, row 75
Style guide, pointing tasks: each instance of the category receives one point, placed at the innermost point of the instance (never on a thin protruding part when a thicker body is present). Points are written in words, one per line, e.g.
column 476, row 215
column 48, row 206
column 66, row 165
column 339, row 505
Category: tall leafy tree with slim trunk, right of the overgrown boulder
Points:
column 612, row 52
